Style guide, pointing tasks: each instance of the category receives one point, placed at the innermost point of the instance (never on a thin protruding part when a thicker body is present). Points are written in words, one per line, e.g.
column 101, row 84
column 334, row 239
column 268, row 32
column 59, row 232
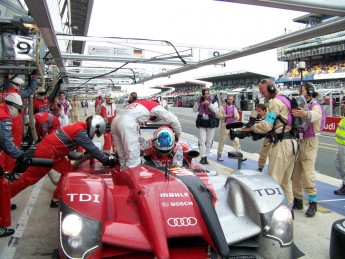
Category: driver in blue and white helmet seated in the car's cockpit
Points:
column 162, row 148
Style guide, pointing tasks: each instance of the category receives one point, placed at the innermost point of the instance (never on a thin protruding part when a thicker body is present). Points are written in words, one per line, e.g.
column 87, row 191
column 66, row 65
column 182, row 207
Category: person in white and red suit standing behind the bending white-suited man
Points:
column 108, row 112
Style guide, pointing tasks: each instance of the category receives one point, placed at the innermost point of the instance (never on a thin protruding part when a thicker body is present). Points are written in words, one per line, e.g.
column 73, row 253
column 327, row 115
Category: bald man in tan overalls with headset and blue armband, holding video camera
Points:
column 284, row 145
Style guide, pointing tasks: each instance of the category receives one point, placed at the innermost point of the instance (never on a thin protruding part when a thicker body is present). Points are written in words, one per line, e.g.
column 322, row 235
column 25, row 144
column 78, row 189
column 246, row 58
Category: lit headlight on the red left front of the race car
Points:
column 79, row 236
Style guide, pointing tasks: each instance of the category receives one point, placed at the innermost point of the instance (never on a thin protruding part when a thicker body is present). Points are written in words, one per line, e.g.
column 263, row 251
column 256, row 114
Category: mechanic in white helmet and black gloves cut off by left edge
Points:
column 9, row 109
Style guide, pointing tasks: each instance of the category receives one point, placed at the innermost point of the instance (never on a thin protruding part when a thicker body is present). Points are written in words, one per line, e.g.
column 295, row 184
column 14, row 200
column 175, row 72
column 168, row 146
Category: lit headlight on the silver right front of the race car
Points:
column 278, row 225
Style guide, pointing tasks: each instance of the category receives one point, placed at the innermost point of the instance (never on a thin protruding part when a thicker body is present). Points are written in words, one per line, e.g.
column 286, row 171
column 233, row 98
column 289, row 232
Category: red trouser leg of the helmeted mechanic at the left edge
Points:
column 5, row 201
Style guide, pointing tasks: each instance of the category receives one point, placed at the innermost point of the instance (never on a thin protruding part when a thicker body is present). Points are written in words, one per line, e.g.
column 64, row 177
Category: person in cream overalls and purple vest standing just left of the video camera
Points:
column 227, row 113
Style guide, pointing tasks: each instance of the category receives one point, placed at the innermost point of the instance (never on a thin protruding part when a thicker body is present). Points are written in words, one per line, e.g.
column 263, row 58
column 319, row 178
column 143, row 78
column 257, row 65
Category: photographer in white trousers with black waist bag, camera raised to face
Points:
column 206, row 122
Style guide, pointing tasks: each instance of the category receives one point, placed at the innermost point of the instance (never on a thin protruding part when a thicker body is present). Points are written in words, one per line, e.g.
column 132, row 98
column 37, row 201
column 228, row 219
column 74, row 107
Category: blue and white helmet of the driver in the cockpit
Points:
column 164, row 140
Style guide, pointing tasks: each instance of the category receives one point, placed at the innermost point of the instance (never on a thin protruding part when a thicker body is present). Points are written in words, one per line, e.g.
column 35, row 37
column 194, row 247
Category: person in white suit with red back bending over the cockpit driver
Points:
column 125, row 128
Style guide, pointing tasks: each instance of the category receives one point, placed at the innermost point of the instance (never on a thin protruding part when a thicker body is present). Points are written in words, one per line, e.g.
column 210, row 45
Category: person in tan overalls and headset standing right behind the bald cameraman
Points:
column 304, row 173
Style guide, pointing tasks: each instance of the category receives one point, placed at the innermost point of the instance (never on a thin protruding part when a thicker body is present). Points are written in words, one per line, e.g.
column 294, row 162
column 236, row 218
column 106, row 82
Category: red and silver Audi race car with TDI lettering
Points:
column 172, row 212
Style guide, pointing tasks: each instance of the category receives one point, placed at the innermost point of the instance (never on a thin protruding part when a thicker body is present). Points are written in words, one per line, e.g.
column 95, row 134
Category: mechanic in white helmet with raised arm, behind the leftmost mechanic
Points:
column 15, row 86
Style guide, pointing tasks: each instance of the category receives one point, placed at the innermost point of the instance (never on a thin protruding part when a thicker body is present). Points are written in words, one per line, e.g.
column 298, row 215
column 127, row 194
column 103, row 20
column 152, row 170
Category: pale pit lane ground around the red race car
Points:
column 36, row 223
